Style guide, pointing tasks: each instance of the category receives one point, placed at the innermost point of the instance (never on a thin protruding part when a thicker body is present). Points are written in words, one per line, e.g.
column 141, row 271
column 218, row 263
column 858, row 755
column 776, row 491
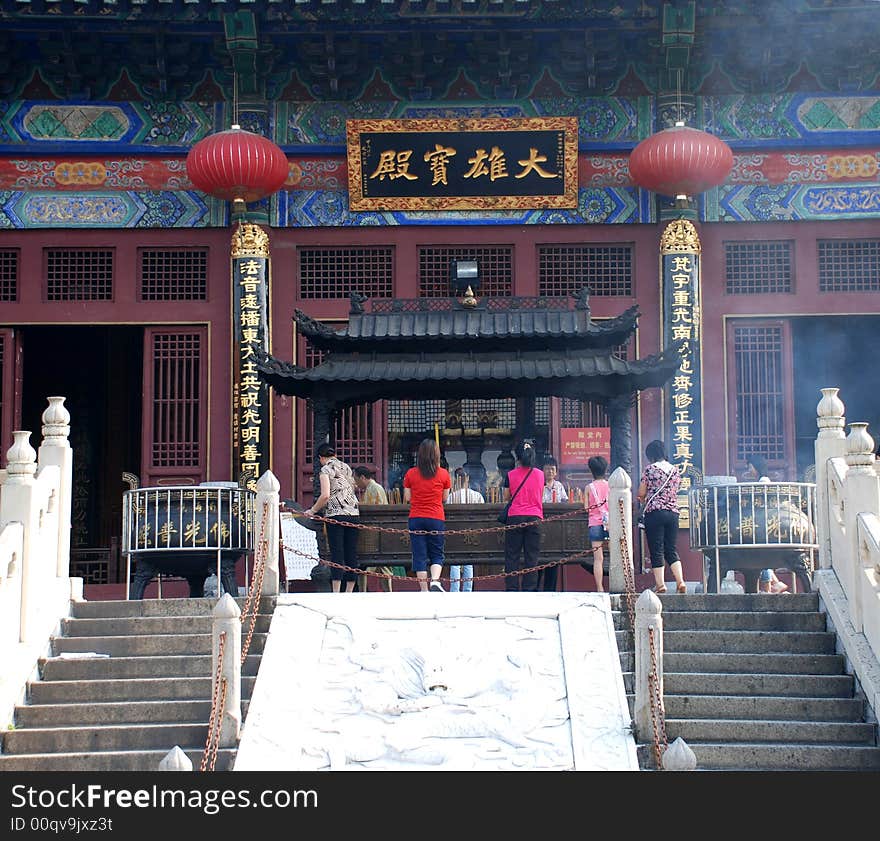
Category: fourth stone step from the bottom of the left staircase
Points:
column 131, row 689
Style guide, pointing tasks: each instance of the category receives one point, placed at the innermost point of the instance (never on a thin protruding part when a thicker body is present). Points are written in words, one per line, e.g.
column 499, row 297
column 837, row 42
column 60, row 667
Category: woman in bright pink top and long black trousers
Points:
column 524, row 485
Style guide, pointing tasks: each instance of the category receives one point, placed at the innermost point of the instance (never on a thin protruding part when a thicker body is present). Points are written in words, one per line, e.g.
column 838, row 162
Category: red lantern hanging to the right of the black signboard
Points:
column 680, row 161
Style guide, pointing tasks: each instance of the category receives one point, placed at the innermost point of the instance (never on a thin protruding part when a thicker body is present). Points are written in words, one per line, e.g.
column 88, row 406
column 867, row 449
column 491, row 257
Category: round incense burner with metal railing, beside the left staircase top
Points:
column 181, row 530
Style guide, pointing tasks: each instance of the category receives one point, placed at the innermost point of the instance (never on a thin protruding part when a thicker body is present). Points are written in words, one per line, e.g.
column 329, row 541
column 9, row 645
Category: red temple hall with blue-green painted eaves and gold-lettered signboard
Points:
column 431, row 146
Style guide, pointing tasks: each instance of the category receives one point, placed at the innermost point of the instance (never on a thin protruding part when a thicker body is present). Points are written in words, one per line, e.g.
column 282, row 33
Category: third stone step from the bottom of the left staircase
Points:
column 110, row 713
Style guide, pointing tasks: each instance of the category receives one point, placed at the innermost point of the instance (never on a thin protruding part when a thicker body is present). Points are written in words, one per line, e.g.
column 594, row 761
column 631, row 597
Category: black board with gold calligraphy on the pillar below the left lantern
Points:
column 251, row 433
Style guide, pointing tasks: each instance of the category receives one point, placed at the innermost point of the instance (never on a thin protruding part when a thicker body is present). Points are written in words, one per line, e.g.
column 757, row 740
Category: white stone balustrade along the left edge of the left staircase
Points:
column 35, row 585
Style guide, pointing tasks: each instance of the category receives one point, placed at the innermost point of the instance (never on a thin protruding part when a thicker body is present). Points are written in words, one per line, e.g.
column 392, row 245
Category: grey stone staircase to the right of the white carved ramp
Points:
column 753, row 682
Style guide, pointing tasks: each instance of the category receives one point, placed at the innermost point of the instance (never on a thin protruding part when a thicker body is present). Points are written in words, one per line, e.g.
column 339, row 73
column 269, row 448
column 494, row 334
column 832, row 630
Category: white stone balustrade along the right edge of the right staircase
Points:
column 848, row 524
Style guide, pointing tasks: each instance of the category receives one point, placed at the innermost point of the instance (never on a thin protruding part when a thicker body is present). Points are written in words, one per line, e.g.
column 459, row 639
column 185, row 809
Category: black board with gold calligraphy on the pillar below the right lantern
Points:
column 681, row 322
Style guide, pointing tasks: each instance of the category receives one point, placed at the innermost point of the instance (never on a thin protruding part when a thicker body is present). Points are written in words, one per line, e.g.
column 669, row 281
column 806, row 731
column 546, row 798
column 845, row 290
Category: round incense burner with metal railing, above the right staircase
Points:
column 752, row 526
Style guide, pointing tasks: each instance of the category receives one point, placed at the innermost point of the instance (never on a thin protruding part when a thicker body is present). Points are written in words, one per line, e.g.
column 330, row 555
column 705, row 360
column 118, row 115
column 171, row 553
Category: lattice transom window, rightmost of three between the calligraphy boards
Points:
column 565, row 269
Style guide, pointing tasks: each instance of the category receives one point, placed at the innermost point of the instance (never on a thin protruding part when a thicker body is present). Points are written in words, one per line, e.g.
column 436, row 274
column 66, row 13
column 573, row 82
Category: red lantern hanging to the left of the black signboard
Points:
column 237, row 165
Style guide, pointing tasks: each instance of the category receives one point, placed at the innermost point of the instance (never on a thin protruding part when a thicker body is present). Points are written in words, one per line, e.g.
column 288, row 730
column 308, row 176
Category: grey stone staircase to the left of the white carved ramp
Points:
column 126, row 711
